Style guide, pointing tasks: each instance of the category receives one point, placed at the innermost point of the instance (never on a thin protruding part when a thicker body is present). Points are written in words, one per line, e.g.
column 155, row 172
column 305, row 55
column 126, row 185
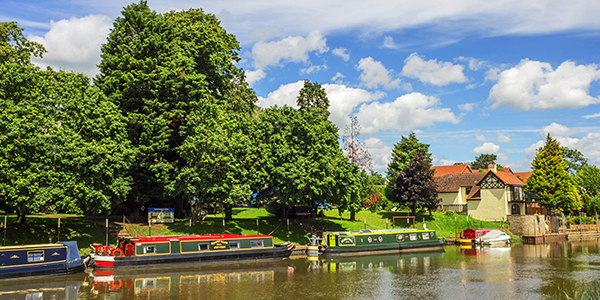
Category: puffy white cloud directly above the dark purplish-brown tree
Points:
column 406, row 113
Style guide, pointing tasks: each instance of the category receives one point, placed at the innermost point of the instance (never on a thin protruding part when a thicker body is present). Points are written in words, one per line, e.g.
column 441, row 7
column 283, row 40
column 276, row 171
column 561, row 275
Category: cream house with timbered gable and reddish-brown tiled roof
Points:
column 490, row 195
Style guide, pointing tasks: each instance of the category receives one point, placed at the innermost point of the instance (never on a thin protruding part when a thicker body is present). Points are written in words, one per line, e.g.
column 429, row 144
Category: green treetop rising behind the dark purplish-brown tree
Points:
column 404, row 151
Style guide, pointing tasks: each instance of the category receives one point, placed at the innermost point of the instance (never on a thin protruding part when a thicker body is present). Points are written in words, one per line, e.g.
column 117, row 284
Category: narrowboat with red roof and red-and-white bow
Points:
column 143, row 251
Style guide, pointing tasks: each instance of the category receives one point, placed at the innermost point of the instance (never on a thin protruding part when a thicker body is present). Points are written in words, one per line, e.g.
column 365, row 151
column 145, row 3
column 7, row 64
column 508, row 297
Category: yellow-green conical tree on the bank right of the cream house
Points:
column 550, row 180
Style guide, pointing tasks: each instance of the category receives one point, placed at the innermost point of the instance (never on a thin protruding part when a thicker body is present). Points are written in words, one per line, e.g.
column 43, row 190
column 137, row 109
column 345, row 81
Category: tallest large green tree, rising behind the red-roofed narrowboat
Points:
column 157, row 69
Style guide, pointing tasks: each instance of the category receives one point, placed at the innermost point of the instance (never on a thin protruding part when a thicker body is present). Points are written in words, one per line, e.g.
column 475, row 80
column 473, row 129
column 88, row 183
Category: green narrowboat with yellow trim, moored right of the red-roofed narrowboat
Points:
column 380, row 241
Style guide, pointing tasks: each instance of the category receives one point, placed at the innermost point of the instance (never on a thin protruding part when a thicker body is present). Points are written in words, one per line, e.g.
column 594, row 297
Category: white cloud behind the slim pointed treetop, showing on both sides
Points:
column 342, row 99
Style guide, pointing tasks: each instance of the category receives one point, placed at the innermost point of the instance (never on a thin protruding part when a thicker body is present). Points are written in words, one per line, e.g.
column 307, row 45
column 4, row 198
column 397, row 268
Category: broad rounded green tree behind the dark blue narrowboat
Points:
column 62, row 146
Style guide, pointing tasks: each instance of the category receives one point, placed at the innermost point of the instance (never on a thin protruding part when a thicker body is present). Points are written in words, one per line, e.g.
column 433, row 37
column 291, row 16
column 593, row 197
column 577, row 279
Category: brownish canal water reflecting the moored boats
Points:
column 517, row 272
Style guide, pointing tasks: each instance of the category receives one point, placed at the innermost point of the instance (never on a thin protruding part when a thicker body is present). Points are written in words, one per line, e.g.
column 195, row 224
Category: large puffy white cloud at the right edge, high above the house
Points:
column 535, row 85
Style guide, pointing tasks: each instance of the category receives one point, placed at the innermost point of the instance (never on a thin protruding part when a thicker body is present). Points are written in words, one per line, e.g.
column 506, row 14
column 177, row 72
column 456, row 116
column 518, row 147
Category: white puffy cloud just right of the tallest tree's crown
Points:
column 290, row 49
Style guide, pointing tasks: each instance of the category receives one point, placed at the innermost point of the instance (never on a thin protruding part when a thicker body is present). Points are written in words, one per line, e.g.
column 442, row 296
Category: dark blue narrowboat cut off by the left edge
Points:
column 41, row 259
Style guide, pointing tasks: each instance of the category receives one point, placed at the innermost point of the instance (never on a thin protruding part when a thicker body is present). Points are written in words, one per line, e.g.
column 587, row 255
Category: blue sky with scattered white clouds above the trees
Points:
column 467, row 77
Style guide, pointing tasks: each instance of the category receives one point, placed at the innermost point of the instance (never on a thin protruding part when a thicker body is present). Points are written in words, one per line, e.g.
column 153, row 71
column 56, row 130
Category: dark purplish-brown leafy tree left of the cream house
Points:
column 413, row 187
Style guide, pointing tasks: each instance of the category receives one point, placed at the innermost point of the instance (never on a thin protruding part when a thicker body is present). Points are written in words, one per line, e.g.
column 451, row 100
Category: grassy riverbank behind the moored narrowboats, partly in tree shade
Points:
column 86, row 232
